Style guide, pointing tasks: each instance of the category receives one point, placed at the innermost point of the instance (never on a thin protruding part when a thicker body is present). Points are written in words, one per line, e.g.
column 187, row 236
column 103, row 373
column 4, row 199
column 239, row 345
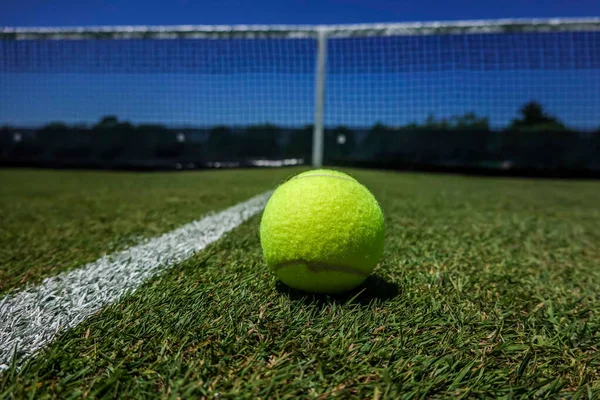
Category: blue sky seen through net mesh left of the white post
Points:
column 197, row 82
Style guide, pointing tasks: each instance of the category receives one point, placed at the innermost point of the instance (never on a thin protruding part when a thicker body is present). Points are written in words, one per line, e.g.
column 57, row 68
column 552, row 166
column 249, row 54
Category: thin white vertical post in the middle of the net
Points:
column 317, row 156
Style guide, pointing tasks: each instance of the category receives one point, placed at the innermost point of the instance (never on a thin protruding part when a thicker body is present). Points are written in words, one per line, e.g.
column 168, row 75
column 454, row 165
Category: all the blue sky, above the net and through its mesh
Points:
column 390, row 80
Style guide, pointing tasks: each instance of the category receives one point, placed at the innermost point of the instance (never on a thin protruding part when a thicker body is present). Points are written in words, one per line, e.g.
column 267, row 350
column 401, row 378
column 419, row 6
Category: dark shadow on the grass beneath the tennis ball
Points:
column 372, row 289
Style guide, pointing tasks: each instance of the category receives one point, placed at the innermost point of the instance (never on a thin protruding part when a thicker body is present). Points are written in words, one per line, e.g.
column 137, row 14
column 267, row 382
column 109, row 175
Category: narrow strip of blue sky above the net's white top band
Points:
column 168, row 12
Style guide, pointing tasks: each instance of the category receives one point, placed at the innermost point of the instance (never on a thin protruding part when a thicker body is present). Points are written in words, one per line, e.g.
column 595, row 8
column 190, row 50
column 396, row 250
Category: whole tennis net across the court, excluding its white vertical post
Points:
column 392, row 92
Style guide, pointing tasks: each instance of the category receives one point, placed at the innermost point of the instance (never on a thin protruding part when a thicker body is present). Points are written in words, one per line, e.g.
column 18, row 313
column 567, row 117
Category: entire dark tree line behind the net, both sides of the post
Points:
column 532, row 140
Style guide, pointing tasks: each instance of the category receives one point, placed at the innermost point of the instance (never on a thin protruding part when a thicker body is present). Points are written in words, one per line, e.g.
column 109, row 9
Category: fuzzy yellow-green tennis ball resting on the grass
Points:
column 322, row 232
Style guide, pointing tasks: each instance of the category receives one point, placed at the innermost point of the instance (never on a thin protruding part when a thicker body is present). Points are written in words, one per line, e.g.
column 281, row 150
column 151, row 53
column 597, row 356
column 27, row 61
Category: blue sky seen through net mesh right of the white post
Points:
column 399, row 80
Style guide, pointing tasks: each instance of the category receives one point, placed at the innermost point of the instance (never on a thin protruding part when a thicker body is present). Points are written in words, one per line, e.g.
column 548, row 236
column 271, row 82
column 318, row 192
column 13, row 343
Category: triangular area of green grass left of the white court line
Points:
column 52, row 221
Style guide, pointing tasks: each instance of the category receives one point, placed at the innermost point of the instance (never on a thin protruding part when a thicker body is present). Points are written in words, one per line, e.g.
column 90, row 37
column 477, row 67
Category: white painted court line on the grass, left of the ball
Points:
column 32, row 318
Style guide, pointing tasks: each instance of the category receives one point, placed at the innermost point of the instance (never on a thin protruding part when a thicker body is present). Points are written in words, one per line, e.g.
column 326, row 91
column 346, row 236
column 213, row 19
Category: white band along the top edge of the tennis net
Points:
column 302, row 31
